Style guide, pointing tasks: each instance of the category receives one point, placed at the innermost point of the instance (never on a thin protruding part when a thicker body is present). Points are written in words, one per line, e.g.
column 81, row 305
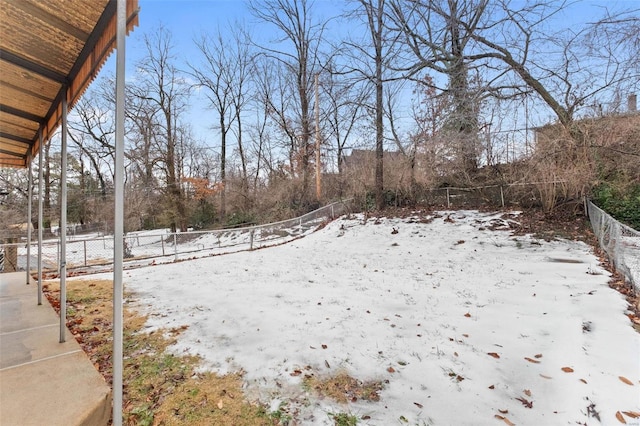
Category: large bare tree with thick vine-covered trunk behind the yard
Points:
column 438, row 35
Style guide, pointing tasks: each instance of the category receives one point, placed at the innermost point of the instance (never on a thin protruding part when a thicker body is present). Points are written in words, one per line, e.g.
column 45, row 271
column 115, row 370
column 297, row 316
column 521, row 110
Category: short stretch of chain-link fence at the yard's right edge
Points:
column 620, row 242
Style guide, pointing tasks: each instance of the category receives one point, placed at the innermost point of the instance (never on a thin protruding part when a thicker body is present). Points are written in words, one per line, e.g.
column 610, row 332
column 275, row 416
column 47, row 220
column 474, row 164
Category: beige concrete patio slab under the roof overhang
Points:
column 43, row 381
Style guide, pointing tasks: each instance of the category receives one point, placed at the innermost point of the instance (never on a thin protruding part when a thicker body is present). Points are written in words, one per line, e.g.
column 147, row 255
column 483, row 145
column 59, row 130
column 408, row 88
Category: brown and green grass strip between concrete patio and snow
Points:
column 160, row 388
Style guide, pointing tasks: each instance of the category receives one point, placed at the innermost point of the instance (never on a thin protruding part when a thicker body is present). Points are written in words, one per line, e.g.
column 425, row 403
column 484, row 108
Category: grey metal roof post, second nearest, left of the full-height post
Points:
column 63, row 221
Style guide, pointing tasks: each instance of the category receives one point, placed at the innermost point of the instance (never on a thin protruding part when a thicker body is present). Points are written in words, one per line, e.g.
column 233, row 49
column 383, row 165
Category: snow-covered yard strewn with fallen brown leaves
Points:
column 463, row 324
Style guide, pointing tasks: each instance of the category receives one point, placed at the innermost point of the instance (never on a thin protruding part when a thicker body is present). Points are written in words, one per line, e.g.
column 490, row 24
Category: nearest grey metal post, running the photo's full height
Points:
column 118, row 232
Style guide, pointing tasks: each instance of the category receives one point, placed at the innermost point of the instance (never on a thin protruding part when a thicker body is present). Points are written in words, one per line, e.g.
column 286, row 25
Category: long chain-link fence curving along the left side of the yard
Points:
column 94, row 253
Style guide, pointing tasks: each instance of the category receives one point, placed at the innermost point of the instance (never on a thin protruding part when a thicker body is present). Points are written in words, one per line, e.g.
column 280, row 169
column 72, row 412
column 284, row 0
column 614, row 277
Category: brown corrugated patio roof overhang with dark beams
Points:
column 49, row 49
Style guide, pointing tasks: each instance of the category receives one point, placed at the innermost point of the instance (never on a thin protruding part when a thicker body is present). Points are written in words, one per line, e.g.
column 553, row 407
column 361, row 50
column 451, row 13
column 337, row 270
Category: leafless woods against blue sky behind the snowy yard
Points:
column 418, row 95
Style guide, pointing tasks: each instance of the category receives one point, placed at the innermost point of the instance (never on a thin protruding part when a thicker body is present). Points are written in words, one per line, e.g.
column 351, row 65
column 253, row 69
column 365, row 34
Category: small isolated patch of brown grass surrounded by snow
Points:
column 344, row 388
